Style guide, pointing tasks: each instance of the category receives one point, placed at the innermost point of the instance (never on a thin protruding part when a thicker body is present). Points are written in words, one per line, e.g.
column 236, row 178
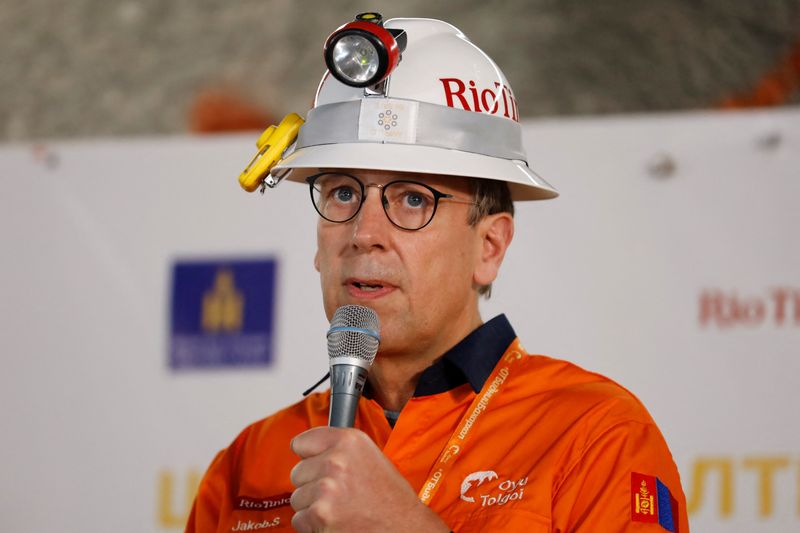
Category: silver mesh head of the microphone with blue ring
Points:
column 354, row 336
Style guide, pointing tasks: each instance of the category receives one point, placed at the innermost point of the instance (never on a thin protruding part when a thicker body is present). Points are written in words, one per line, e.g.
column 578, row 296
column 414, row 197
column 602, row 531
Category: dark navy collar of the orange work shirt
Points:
column 470, row 361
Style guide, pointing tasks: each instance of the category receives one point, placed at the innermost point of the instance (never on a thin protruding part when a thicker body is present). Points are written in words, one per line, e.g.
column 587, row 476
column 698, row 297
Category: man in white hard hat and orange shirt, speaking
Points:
column 460, row 428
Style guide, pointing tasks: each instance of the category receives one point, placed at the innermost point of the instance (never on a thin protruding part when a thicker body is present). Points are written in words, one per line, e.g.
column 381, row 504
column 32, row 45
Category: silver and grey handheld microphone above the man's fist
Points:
column 353, row 340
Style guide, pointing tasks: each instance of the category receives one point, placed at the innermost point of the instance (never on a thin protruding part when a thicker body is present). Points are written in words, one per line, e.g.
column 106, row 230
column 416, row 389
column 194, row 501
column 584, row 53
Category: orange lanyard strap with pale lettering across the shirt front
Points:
column 458, row 441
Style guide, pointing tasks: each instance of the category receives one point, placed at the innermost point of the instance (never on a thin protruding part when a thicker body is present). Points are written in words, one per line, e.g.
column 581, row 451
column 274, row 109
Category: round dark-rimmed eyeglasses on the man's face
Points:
column 409, row 205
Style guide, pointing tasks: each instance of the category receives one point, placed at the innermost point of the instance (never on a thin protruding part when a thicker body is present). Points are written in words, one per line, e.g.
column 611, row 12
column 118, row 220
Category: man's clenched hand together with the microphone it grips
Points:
column 343, row 481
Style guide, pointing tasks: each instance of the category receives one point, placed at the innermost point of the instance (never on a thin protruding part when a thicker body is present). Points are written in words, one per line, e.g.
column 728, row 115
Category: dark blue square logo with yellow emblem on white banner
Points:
column 222, row 313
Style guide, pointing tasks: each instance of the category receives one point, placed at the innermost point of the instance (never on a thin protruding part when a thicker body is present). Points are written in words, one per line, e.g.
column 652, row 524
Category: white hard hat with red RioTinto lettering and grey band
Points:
column 445, row 109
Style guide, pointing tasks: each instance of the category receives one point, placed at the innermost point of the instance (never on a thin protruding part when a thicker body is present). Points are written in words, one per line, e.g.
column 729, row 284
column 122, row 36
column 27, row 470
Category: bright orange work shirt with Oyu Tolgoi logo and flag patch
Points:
column 557, row 449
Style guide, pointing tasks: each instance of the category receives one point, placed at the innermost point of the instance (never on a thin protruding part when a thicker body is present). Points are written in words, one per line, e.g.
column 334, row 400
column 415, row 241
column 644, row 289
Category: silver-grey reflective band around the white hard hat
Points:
column 397, row 121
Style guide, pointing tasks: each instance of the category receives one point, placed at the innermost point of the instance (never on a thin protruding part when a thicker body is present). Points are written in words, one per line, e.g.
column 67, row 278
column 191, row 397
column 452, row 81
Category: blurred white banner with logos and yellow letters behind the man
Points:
column 132, row 270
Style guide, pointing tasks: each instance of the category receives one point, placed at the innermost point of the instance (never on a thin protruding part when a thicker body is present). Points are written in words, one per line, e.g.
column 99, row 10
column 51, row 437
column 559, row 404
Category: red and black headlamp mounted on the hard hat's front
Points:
column 363, row 53
